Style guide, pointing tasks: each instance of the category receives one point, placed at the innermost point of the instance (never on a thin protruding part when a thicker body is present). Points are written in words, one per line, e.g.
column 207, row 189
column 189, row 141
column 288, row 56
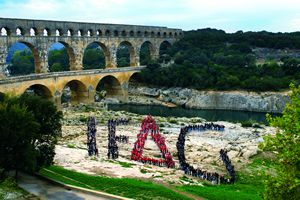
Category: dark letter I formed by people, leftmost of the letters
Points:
column 91, row 137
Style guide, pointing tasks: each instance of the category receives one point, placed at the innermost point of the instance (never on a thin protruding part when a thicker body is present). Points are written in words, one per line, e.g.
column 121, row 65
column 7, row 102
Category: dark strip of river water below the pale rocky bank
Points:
column 210, row 115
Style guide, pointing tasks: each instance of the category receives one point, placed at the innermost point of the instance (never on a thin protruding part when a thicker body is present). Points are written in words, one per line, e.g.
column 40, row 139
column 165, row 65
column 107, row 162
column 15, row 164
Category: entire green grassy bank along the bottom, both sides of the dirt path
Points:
column 248, row 187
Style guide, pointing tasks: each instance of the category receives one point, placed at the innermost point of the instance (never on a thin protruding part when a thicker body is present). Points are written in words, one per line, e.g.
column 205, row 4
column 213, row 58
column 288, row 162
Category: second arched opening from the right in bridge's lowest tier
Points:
column 74, row 92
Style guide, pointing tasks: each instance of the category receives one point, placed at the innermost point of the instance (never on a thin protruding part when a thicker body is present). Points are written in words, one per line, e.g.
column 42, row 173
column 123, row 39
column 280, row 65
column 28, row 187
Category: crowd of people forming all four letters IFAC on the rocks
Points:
column 149, row 126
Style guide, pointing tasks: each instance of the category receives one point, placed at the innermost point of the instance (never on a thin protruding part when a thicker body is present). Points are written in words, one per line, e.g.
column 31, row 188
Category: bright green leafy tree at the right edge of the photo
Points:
column 285, row 184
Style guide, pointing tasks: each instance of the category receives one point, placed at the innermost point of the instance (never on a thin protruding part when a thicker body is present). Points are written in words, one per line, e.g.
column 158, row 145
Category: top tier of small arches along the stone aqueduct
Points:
column 44, row 28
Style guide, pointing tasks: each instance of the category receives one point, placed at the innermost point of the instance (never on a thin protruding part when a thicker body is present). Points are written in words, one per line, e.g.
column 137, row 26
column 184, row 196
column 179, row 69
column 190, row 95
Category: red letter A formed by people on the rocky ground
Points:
column 149, row 126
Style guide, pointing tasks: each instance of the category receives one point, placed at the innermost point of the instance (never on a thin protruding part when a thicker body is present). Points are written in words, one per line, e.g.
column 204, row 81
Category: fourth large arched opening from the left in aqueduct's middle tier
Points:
column 125, row 55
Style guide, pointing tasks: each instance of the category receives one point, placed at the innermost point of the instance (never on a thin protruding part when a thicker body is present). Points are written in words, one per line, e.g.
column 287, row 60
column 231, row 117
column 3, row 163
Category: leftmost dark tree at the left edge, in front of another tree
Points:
column 18, row 130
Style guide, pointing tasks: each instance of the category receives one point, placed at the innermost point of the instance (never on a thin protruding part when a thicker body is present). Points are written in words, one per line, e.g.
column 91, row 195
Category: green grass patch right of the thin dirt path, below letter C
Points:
column 248, row 187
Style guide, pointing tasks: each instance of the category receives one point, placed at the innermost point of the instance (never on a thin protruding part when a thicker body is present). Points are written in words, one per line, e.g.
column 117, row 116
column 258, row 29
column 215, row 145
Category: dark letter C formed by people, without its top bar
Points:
column 188, row 169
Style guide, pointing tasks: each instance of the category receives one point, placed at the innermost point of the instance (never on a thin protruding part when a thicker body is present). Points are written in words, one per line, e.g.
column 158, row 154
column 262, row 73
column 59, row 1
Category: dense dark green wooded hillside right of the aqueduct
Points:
column 212, row 59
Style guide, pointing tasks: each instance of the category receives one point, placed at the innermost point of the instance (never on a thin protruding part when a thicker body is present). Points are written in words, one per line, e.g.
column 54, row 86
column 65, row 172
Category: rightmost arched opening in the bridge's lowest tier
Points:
column 109, row 88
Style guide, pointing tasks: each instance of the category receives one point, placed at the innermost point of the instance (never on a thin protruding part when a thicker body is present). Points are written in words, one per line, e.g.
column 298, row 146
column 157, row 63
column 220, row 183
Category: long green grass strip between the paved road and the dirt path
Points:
column 127, row 187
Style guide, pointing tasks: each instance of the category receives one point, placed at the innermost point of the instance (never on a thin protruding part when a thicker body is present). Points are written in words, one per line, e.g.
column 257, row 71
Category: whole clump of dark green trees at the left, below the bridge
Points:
column 28, row 132
